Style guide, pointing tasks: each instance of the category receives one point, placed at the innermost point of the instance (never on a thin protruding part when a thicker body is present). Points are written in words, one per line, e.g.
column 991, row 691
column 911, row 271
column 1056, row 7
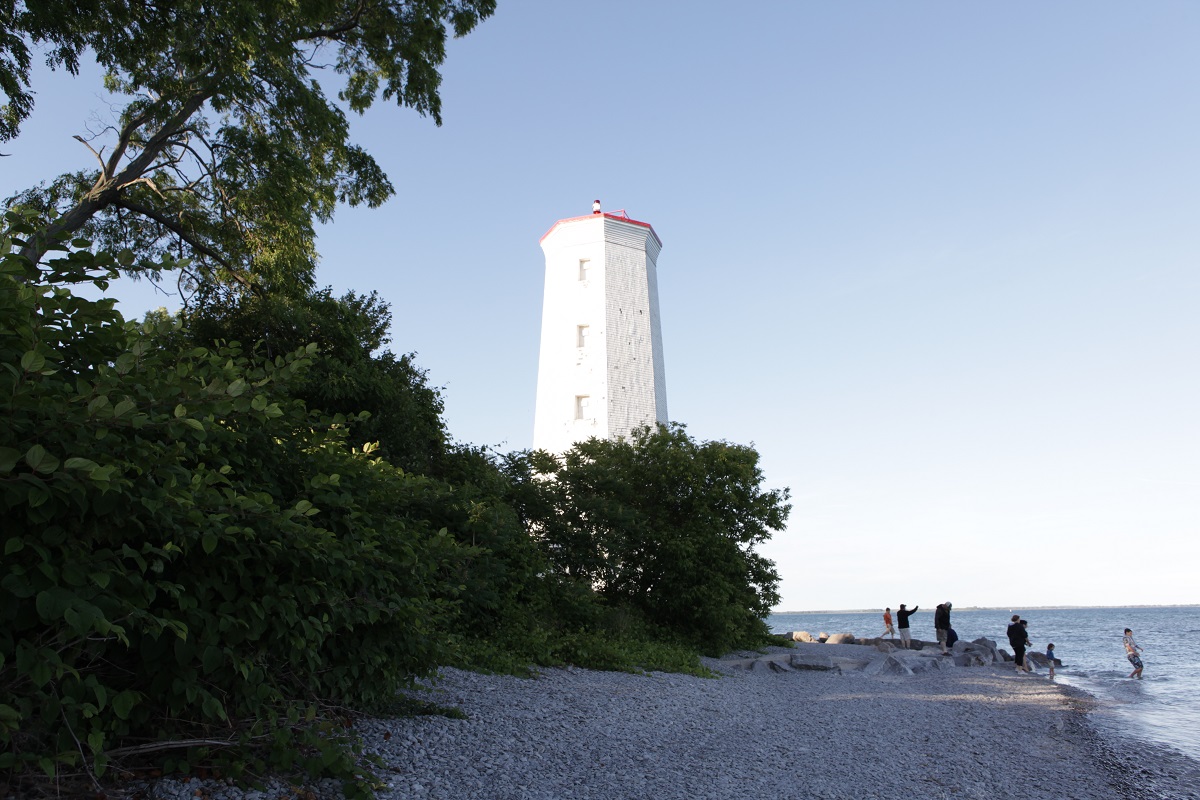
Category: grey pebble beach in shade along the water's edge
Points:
column 976, row 732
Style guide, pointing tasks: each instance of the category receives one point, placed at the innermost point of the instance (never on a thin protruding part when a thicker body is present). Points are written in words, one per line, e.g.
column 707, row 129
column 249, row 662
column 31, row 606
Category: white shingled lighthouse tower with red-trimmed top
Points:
column 601, row 370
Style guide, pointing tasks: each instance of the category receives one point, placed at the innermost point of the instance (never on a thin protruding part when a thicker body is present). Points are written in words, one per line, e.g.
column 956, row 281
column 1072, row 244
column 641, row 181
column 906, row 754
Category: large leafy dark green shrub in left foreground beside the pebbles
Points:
column 189, row 554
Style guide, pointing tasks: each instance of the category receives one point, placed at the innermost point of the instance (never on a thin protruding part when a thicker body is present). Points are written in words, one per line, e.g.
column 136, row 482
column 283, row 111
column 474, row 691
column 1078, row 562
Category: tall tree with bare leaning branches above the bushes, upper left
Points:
column 227, row 147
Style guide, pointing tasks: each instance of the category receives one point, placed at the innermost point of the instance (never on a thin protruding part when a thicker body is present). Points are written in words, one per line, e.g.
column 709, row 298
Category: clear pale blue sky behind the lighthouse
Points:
column 937, row 262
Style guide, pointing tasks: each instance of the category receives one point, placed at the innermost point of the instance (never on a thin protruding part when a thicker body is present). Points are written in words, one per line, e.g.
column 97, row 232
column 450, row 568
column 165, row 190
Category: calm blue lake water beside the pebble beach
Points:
column 1163, row 708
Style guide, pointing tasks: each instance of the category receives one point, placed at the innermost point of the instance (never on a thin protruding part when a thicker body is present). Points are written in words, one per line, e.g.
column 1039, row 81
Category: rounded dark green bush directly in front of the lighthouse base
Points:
column 664, row 526
